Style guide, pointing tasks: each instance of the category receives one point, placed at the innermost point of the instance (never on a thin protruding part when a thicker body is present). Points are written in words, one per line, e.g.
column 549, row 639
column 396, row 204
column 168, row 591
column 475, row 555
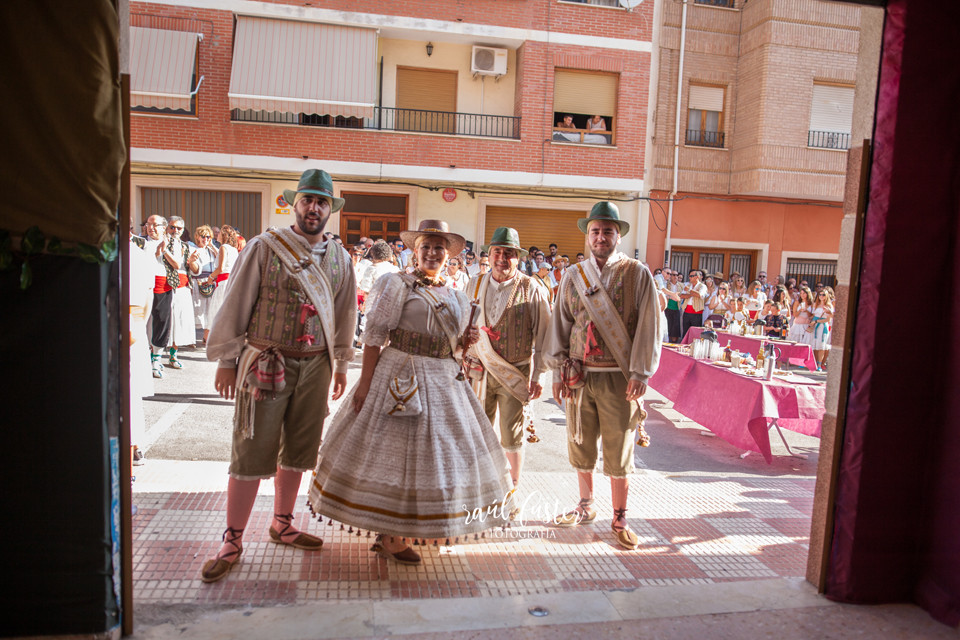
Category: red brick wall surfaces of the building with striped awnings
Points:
column 212, row 131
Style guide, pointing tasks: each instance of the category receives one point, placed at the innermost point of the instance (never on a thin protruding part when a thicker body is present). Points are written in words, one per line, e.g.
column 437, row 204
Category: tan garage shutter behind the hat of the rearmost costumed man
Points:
column 539, row 227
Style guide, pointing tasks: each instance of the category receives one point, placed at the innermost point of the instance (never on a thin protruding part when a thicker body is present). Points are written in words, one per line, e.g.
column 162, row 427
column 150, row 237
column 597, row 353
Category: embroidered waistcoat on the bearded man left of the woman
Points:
column 282, row 316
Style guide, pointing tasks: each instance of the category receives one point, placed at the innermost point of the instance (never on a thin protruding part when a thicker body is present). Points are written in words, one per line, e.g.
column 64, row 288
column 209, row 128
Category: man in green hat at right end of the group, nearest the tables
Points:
column 604, row 345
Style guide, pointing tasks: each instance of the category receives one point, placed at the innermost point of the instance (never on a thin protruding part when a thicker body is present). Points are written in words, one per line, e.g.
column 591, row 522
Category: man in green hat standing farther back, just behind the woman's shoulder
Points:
column 513, row 315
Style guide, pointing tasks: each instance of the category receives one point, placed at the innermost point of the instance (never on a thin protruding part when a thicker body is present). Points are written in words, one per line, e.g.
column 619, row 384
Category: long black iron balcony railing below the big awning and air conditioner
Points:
column 393, row 119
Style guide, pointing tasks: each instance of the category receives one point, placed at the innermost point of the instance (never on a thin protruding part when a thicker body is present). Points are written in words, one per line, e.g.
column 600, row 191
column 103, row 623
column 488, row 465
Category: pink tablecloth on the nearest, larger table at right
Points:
column 738, row 408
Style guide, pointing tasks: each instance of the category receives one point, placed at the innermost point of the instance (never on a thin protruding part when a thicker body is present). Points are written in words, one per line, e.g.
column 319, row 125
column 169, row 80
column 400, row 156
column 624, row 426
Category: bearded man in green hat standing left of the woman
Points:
column 285, row 329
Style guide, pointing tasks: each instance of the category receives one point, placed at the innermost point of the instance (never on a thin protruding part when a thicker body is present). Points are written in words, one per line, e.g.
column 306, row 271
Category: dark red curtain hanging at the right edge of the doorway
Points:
column 897, row 527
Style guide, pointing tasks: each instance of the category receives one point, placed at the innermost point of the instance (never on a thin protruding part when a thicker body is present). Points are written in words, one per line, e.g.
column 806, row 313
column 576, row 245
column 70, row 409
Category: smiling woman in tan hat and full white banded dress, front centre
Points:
column 414, row 458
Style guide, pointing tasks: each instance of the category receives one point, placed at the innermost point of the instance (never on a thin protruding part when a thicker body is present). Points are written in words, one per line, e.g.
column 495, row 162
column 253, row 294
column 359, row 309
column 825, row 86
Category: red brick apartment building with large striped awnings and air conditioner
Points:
column 419, row 109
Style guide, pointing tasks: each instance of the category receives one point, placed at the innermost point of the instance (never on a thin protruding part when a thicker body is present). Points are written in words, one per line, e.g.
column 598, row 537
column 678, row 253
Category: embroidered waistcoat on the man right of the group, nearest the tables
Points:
column 623, row 293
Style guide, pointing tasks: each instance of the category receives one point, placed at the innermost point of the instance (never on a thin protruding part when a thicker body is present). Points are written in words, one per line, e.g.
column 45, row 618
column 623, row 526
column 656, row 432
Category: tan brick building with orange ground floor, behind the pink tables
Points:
column 766, row 96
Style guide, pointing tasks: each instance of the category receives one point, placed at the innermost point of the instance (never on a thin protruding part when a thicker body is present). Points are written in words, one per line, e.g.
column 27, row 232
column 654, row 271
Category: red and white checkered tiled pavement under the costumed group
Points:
column 693, row 530
